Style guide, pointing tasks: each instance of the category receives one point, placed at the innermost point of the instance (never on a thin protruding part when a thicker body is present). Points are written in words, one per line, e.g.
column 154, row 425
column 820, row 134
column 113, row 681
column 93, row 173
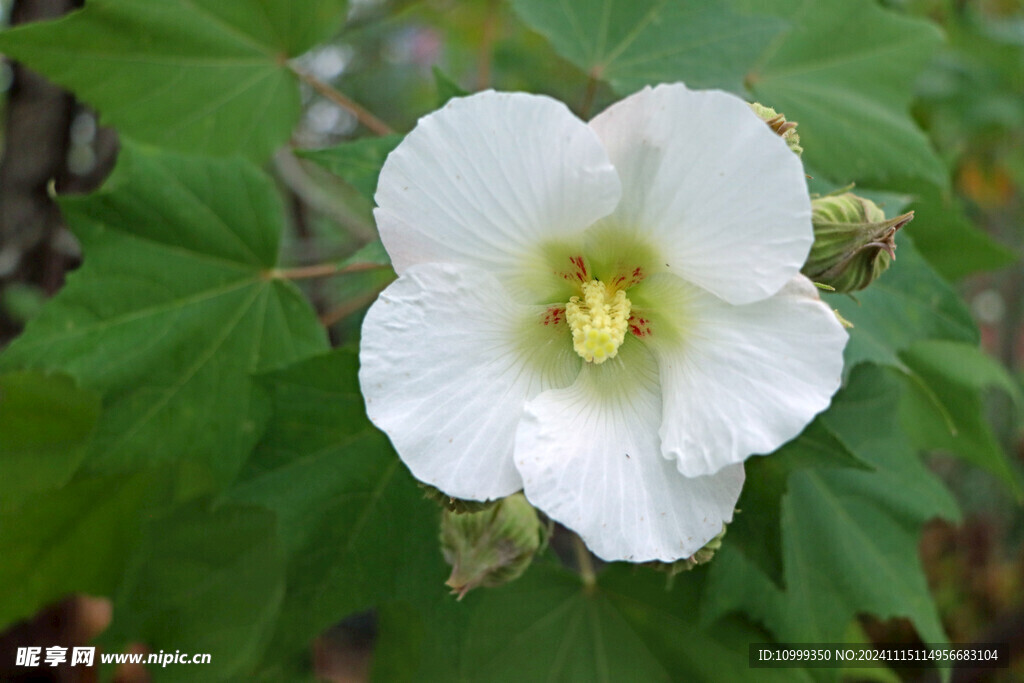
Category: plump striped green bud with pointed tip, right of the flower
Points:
column 854, row 242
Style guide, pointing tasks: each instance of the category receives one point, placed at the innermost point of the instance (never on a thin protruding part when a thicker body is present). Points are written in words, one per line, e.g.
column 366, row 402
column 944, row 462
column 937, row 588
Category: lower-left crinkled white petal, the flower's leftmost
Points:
column 448, row 362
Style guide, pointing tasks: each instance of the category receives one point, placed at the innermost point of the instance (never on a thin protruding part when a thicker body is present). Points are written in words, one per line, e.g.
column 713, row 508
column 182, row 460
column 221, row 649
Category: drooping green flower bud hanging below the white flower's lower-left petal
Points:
column 491, row 547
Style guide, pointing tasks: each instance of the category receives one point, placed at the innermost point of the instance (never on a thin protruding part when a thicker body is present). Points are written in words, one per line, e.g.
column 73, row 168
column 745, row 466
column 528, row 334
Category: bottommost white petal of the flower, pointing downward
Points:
column 590, row 458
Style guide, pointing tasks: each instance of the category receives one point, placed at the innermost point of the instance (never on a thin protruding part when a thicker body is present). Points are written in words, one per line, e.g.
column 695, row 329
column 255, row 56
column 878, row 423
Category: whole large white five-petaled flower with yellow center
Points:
column 609, row 317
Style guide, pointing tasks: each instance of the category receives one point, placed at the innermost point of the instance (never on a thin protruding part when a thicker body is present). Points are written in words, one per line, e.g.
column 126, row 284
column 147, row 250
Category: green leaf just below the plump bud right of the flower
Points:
column 908, row 305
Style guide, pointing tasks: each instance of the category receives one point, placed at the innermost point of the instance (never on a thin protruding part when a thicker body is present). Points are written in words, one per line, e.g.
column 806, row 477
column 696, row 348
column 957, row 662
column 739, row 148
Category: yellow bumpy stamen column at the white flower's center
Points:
column 600, row 322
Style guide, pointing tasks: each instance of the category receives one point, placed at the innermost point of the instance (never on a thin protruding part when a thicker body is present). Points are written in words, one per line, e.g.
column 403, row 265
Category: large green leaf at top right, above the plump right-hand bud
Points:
column 845, row 72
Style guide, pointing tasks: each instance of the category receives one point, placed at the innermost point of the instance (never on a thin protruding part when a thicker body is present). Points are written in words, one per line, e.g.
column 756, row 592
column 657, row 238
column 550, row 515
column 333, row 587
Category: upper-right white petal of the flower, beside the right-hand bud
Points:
column 717, row 193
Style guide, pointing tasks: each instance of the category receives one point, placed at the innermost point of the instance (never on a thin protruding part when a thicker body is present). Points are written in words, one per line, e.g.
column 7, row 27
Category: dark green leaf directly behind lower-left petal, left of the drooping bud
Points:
column 354, row 521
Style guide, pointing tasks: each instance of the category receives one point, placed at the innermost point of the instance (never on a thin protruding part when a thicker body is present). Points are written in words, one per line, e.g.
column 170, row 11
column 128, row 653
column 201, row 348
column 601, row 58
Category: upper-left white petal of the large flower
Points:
column 491, row 179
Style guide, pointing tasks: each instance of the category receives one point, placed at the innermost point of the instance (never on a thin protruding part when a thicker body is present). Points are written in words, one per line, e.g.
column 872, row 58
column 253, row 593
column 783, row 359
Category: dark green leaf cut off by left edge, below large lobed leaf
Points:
column 46, row 422
